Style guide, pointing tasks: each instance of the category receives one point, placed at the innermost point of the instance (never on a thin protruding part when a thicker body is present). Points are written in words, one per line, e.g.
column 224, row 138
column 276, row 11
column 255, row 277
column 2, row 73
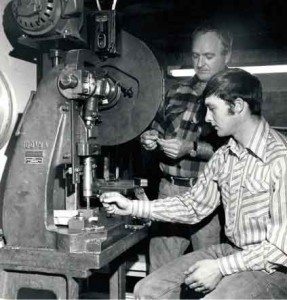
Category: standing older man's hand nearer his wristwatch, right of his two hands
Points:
column 175, row 148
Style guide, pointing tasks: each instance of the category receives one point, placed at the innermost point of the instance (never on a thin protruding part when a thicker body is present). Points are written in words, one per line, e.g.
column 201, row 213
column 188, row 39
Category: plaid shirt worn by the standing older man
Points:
column 178, row 118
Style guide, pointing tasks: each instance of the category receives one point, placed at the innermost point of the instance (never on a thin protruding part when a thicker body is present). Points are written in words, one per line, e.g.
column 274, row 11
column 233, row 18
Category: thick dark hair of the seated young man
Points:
column 236, row 83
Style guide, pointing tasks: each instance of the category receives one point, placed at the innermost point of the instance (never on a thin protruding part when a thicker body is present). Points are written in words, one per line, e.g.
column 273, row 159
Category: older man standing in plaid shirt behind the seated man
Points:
column 185, row 146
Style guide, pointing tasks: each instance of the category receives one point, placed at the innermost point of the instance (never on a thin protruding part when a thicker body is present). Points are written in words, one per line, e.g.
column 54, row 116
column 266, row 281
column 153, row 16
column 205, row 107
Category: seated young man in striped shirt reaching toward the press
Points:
column 248, row 175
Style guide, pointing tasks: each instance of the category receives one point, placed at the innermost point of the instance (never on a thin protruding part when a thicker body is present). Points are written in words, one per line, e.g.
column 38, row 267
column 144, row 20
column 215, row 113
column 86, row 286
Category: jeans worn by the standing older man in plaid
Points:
column 169, row 241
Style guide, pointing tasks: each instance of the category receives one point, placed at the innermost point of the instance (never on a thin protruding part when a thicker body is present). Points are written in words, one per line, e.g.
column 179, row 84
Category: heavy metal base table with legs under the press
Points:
column 58, row 275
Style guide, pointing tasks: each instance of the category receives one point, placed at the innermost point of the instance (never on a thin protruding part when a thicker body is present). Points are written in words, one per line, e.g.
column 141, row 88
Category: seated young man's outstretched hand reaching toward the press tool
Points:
column 115, row 203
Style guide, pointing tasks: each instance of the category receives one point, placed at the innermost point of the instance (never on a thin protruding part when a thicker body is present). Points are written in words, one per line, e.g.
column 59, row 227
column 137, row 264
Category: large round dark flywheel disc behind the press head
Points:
column 139, row 76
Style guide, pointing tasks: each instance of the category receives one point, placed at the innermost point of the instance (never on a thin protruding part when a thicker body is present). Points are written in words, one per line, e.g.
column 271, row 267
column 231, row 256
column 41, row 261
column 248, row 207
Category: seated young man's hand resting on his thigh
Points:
column 203, row 276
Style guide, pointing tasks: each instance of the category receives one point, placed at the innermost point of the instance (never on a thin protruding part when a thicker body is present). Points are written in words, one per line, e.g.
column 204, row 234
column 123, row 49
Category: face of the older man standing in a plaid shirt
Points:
column 207, row 55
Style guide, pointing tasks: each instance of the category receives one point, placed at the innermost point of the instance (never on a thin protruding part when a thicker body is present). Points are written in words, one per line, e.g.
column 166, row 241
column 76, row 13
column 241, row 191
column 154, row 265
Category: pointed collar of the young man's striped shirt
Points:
column 257, row 144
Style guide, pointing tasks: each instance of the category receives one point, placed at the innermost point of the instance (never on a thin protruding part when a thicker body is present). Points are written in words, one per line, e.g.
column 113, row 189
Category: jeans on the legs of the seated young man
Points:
column 168, row 281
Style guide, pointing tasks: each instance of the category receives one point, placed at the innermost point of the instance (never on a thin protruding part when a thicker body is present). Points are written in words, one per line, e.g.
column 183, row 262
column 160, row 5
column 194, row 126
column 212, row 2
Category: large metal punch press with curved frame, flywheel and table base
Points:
column 62, row 132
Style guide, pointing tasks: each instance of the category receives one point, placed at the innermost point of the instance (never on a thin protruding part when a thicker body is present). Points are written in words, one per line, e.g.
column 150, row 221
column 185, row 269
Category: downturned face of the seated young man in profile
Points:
column 219, row 116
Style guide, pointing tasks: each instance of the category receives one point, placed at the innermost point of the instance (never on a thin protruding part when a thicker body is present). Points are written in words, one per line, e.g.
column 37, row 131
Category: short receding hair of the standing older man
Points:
column 223, row 34
